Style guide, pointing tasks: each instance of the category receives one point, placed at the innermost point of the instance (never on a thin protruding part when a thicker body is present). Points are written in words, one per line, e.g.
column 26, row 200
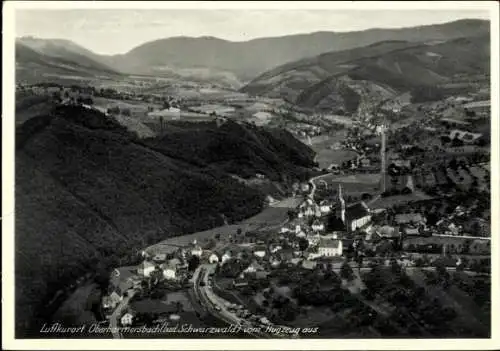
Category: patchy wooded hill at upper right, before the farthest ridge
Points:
column 345, row 79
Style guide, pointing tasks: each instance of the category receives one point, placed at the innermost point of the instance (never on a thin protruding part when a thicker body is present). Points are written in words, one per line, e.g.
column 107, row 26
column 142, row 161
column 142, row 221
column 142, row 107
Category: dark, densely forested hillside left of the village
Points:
column 89, row 192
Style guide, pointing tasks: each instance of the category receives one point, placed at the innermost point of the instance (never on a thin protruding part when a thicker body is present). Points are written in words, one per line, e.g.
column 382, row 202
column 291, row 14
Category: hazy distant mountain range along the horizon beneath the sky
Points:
column 235, row 61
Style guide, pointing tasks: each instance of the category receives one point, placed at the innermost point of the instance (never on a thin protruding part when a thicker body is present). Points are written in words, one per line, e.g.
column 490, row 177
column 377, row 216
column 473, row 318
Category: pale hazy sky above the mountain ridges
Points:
column 118, row 31
